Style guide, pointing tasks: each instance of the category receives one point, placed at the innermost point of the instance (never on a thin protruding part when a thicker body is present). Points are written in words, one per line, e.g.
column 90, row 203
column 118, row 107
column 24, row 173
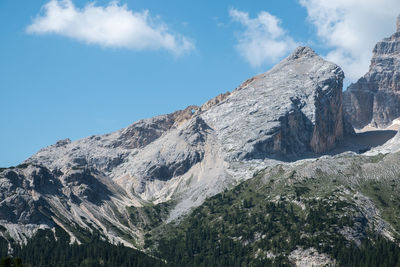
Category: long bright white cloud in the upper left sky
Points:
column 111, row 26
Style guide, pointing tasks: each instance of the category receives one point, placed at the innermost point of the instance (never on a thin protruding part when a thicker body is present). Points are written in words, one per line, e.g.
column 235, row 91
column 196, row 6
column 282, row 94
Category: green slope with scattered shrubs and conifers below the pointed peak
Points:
column 261, row 221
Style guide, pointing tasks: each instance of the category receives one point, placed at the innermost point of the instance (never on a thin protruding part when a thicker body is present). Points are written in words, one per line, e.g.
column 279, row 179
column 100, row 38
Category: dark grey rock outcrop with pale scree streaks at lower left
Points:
column 34, row 197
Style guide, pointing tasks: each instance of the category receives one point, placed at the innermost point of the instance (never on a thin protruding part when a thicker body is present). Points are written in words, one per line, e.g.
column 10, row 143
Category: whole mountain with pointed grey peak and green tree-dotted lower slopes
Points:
column 266, row 174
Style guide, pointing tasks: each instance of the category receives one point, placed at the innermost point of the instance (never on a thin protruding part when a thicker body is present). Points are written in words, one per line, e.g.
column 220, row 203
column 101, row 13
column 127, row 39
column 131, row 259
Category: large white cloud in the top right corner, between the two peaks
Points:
column 350, row 28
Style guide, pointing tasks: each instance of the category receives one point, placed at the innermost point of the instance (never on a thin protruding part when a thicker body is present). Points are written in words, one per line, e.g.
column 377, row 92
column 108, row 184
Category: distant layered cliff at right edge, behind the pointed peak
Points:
column 375, row 98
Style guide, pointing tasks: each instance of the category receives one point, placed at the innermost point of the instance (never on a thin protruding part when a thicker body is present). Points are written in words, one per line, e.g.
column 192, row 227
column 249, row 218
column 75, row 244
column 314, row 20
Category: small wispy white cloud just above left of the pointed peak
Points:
column 263, row 40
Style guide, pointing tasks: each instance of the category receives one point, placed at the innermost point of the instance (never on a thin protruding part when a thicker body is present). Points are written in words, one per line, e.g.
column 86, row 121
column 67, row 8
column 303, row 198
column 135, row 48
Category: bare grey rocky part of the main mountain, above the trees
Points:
column 174, row 162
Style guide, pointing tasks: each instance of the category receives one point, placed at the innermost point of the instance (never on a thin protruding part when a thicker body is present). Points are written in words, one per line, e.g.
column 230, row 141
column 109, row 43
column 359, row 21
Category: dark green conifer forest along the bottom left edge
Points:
column 49, row 249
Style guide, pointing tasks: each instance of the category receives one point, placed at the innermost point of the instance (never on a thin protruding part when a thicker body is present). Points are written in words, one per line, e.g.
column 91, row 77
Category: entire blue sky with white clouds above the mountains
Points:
column 76, row 68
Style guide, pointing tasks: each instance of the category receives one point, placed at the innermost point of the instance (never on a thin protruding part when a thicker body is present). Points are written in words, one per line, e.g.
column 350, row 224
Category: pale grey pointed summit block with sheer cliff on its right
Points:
column 293, row 108
